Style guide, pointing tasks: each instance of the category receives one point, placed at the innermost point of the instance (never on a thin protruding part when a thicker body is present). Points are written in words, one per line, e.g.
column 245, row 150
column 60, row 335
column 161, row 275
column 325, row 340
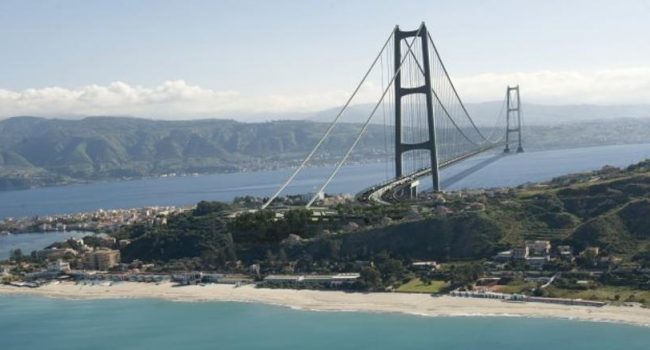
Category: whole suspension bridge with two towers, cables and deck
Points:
column 425, row 121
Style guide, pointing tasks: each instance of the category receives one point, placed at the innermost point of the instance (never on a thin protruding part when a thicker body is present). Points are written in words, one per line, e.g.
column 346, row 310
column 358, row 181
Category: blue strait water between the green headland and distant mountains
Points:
column 493, row 171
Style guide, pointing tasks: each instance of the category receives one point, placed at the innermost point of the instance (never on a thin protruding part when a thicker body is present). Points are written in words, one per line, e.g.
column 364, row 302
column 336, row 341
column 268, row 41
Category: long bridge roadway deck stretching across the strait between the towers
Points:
column 387, row 192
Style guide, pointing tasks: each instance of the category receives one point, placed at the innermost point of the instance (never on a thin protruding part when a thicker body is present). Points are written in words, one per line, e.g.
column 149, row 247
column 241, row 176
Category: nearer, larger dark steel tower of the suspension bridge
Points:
column 430, row 144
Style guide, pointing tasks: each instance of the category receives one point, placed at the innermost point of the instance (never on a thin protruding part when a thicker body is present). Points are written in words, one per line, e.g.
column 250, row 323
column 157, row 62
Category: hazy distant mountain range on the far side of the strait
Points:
column 38, row 151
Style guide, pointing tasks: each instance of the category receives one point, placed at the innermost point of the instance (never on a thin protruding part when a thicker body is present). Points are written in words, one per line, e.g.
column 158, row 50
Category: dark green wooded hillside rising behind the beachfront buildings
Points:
column 606, row 209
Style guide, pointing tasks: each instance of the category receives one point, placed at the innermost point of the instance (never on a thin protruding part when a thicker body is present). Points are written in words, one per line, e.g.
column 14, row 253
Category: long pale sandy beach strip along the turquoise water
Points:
column 411, row 304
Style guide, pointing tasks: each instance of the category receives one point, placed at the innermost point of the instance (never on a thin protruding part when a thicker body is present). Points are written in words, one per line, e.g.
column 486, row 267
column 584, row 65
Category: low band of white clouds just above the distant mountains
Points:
column 178, row 99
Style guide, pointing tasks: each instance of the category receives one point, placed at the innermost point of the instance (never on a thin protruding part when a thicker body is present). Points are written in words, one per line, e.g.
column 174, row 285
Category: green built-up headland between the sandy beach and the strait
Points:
column 534, row 241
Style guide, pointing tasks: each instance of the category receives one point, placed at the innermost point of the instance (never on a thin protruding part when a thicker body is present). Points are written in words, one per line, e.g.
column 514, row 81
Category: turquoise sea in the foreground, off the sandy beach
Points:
column 41, row 323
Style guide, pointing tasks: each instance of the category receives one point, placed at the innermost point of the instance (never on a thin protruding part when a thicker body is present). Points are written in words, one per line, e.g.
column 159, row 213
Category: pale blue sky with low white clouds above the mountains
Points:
column 187, row 59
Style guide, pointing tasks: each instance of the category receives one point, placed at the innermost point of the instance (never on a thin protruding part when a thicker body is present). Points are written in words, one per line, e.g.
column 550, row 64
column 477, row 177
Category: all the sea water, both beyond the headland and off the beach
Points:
column 44, row 323
